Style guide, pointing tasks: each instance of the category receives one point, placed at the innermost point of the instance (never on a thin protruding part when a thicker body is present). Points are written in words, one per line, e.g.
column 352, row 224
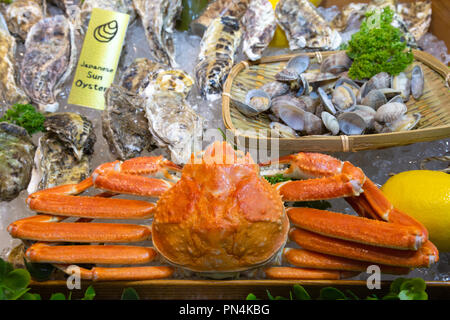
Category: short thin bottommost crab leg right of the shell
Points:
column 289, row 273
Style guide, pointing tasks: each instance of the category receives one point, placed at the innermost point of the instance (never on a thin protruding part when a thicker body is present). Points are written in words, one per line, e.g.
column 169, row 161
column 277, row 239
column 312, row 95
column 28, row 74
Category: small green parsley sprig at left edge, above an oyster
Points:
column 26, row 116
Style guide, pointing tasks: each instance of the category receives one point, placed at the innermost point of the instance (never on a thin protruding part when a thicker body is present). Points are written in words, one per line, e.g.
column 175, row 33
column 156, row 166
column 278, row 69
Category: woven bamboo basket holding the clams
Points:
column 434, row 106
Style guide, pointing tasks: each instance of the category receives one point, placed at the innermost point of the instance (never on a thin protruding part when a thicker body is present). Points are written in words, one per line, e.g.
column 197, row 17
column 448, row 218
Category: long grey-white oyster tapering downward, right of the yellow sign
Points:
column 158, row 18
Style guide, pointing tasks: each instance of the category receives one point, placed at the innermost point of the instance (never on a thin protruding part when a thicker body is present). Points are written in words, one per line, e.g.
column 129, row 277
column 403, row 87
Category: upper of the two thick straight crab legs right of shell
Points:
column 357, row 229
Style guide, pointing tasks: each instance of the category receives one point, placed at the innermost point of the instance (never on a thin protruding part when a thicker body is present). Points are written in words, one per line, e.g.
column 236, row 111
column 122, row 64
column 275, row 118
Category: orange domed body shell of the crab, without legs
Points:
column 221, row 215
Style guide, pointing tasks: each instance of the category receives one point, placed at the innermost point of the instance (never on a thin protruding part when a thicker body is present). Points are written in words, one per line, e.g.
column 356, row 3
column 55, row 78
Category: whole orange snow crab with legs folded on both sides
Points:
column 220, row 217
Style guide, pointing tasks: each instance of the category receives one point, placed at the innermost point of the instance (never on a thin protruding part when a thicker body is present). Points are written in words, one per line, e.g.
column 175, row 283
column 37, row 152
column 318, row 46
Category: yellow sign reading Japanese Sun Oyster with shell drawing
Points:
column 99, row 58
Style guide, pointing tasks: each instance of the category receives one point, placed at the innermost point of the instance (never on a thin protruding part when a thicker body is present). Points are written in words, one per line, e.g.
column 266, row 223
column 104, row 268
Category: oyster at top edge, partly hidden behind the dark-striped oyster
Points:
column 234, row 8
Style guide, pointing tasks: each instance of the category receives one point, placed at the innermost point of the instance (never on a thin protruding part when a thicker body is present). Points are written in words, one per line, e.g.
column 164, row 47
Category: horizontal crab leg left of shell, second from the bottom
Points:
column 105, row 254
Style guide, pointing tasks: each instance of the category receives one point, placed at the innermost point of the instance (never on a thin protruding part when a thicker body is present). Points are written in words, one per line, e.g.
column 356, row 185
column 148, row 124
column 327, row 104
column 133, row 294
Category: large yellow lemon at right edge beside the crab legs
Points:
column 424, row 195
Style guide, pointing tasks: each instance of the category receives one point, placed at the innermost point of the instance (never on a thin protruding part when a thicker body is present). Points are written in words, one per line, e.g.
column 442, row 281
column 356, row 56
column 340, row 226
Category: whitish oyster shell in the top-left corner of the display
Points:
column 21, row 15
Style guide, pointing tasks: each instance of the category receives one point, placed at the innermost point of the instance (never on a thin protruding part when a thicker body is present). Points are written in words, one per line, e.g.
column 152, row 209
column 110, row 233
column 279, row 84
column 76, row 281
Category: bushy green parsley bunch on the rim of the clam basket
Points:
column 378, row 47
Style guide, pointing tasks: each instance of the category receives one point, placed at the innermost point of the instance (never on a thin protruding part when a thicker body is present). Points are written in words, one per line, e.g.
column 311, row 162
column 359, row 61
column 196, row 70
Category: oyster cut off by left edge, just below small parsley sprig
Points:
column 16, row 160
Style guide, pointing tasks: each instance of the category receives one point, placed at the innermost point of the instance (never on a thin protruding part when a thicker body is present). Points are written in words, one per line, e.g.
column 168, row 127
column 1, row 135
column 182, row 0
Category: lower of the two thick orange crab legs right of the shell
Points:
column 423, row 257
